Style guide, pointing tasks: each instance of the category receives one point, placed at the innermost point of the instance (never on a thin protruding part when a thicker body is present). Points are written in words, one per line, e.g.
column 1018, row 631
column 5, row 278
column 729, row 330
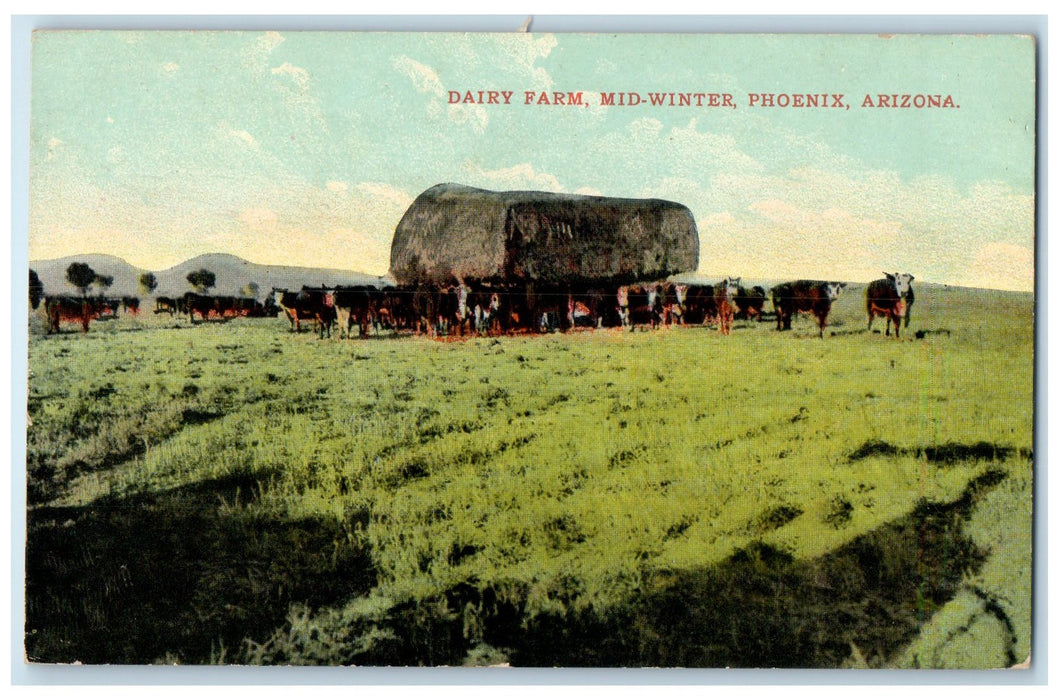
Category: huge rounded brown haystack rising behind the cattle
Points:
column 453, row 232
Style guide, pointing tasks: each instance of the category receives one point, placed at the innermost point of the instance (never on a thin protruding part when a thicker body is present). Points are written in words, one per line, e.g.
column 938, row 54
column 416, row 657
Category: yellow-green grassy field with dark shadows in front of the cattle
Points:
column 232, row 493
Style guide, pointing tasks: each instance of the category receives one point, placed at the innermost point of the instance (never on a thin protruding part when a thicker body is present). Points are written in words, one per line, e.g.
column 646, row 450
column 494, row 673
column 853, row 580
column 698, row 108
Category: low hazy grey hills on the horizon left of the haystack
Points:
column 234, row 274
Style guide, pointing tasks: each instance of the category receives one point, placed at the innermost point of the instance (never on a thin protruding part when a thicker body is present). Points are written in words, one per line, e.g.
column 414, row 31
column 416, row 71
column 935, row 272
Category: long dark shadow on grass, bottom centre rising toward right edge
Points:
column 761, row 608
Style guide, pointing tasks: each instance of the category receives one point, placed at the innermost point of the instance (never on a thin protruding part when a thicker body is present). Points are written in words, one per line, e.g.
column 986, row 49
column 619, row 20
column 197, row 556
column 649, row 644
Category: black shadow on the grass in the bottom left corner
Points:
column 183, row 577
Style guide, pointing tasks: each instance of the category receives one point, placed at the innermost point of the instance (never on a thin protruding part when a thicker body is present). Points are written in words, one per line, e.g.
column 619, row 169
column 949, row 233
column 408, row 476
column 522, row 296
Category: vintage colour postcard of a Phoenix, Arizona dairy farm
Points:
column 531, row 350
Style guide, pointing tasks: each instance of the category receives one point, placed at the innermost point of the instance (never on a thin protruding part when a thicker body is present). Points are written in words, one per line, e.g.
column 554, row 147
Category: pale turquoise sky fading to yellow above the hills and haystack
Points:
column 306, row 148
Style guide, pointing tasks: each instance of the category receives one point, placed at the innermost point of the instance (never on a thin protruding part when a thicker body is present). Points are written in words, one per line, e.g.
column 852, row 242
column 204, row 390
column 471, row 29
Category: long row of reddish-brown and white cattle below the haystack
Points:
column 464, row 311
